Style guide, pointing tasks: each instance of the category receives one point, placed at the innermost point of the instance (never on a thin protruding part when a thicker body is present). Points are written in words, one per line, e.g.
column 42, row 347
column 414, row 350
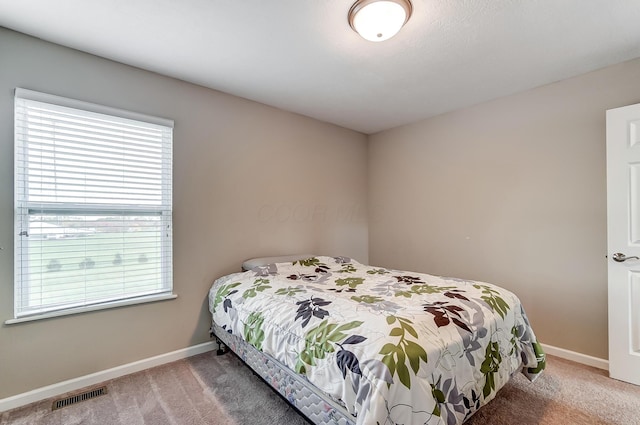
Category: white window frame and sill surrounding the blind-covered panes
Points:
column 22, row 202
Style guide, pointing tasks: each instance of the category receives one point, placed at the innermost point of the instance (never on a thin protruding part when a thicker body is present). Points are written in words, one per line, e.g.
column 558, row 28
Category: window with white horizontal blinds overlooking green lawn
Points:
column 93, row 206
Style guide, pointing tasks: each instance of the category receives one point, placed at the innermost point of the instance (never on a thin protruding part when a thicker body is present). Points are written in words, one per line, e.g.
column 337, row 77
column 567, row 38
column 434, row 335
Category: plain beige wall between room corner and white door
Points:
column 512, row 192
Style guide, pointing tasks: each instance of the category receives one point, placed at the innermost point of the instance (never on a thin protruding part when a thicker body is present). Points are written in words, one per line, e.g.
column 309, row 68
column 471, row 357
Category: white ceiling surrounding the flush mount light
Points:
column 302, row 56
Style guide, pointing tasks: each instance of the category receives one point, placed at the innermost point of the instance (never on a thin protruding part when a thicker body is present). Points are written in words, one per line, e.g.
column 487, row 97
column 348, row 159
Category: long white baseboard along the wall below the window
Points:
column 102, row 376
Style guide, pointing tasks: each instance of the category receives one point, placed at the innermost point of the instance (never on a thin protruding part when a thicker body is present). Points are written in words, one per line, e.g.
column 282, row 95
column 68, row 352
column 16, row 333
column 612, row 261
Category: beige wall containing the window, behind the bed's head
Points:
column 249, row 180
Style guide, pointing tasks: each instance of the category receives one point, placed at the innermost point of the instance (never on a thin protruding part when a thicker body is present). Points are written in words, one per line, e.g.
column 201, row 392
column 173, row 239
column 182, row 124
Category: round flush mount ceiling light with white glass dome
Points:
column 379, row 20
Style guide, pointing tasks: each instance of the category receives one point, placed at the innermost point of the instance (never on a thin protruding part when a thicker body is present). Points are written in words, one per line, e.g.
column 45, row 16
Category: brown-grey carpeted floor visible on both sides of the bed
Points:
column 211, row 390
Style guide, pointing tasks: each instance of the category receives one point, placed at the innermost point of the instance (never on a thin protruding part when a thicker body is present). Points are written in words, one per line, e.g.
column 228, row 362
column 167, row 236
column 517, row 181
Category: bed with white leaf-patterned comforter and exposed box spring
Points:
column 348, row 343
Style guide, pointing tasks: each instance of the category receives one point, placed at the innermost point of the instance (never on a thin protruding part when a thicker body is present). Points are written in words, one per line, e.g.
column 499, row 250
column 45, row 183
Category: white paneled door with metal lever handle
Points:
column 623, row 222
